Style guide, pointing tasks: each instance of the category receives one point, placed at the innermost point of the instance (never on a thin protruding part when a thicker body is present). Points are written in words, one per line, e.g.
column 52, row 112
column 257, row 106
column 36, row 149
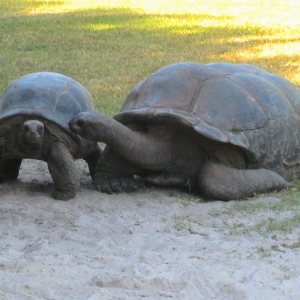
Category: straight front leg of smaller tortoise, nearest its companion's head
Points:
column 63, row 171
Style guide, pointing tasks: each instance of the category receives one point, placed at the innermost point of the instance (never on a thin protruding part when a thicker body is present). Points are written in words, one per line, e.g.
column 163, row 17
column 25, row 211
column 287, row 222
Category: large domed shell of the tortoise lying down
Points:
column 238, row 104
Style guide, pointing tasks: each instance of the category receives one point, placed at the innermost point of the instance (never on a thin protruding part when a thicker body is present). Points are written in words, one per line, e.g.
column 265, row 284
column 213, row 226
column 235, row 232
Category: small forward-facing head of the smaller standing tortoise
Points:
column 32, row 133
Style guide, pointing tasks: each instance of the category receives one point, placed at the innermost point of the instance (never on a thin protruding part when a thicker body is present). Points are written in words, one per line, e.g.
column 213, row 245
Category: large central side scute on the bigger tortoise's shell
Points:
column 225, row 105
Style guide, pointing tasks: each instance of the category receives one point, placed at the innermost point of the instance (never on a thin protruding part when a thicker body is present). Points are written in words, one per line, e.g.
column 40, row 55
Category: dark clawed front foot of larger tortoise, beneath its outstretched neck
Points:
column 114, row 174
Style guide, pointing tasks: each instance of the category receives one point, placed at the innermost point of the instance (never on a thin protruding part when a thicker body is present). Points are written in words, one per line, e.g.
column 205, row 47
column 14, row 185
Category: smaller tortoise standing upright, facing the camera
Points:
column 34, row 114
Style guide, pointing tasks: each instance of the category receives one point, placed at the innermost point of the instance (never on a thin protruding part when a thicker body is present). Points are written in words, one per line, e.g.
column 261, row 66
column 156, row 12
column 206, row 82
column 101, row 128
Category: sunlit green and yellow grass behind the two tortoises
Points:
column 109, row 46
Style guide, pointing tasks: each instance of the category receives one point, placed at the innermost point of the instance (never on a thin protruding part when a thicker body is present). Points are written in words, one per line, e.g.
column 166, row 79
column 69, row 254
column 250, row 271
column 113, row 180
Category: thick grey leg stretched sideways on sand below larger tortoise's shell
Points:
column 222, row 182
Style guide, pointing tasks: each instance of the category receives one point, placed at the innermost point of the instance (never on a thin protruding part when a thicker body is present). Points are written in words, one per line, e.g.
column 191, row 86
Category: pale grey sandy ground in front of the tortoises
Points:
column 151, row 244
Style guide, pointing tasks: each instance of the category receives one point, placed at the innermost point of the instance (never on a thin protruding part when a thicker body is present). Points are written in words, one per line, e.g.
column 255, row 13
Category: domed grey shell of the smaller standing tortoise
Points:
column 44, row 95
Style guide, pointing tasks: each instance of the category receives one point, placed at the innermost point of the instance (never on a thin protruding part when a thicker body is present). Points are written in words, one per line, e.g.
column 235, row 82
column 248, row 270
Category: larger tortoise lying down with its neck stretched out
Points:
column 227, row 130
